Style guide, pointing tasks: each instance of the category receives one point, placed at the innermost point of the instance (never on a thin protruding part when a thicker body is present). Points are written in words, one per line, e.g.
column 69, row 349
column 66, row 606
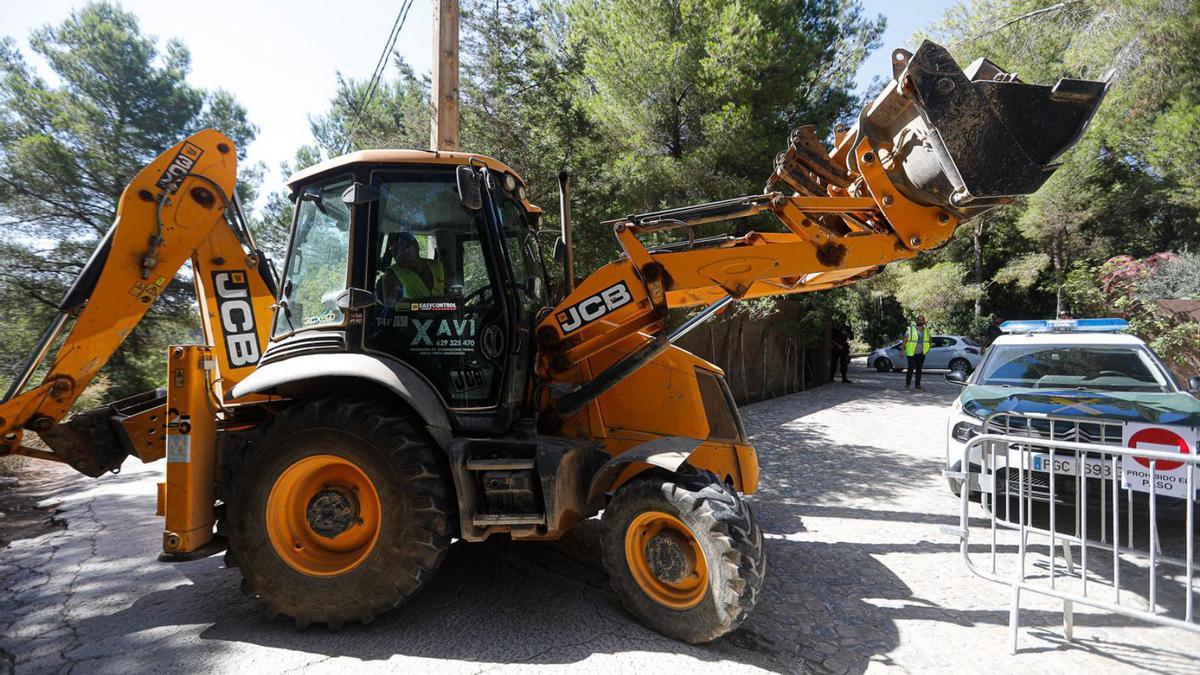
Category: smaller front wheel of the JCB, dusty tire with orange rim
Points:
column 685, row 554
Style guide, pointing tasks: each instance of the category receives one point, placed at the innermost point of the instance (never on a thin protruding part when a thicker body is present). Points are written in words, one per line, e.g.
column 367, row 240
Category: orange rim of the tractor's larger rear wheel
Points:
column 323, row 516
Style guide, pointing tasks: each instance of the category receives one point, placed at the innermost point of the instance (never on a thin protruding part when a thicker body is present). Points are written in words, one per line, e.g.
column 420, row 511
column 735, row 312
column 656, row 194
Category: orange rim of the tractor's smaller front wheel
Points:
column 667, row 560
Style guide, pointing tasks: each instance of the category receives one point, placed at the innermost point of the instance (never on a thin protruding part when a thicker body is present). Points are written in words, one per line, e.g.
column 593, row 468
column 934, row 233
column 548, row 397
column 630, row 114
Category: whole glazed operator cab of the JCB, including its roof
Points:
column 387, row 259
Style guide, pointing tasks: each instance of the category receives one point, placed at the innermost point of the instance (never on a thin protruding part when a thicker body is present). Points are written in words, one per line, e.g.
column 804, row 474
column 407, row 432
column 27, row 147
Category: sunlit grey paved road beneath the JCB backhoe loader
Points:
column 862, row 577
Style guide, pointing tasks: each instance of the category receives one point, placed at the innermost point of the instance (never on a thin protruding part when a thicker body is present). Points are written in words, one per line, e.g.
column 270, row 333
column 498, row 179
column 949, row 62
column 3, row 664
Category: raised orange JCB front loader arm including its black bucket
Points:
column 935, row 148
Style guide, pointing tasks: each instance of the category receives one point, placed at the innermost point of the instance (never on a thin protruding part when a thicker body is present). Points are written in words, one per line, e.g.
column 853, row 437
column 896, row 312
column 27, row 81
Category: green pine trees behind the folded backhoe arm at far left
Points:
column 69, row 148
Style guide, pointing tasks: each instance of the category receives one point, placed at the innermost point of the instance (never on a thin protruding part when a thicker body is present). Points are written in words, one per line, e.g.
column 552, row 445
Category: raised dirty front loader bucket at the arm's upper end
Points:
column 968, row 141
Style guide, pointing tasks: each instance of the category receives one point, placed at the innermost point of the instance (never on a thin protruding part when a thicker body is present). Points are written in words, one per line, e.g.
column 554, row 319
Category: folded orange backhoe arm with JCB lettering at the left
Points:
column 182, row 207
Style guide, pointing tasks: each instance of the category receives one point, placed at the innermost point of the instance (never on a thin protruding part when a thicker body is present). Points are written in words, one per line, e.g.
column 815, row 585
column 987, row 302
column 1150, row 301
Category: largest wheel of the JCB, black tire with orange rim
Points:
column 341, row 511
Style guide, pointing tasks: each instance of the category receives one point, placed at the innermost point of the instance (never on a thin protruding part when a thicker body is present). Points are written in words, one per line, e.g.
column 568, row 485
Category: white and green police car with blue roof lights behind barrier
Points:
column 1083, row 381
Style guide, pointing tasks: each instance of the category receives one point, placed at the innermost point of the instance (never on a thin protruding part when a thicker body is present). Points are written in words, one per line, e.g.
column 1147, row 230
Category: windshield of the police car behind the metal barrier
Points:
column 1075, row 367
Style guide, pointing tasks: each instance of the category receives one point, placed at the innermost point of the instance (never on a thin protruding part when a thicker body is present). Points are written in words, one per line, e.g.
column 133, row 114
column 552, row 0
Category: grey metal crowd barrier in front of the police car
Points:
column 1117, row 560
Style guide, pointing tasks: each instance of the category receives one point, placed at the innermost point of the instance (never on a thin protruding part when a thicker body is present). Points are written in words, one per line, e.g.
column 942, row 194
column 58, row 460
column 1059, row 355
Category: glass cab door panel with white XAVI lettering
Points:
column 435, row 294
